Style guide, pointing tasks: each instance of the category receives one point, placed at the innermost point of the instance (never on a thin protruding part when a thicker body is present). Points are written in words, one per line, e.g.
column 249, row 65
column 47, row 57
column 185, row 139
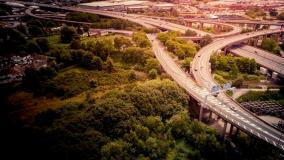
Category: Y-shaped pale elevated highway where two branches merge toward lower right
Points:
column 221, row 105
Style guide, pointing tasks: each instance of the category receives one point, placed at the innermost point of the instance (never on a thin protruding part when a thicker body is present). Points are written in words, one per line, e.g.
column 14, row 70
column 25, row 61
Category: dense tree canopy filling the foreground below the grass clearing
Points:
column 145, row 121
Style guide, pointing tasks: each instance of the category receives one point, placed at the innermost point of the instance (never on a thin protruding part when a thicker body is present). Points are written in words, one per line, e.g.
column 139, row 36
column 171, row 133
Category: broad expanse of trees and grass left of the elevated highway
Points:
column 102, row 98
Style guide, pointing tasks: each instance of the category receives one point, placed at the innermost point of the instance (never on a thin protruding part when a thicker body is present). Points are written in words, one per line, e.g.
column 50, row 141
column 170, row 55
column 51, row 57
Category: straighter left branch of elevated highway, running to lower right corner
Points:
column 221, row 105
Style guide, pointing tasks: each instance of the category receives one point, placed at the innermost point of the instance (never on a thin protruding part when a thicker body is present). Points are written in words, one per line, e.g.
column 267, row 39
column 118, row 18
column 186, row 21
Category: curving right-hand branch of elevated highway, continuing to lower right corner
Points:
column 202, row 74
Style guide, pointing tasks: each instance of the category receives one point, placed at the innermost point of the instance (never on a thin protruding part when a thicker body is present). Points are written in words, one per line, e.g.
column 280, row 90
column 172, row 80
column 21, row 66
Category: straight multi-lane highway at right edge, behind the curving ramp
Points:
column 263, row 58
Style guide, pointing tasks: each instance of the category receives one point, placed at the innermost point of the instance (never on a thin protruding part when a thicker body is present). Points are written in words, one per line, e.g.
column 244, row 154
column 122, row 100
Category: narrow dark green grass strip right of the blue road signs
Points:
column 262, row 96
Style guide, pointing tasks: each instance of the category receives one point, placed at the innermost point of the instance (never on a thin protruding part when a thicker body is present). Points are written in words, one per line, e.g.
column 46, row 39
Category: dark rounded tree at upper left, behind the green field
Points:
column 67, row 34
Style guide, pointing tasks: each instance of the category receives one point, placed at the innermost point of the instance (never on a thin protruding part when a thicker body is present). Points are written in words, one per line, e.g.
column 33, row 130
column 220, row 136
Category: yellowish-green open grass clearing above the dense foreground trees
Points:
column 75, row 82
